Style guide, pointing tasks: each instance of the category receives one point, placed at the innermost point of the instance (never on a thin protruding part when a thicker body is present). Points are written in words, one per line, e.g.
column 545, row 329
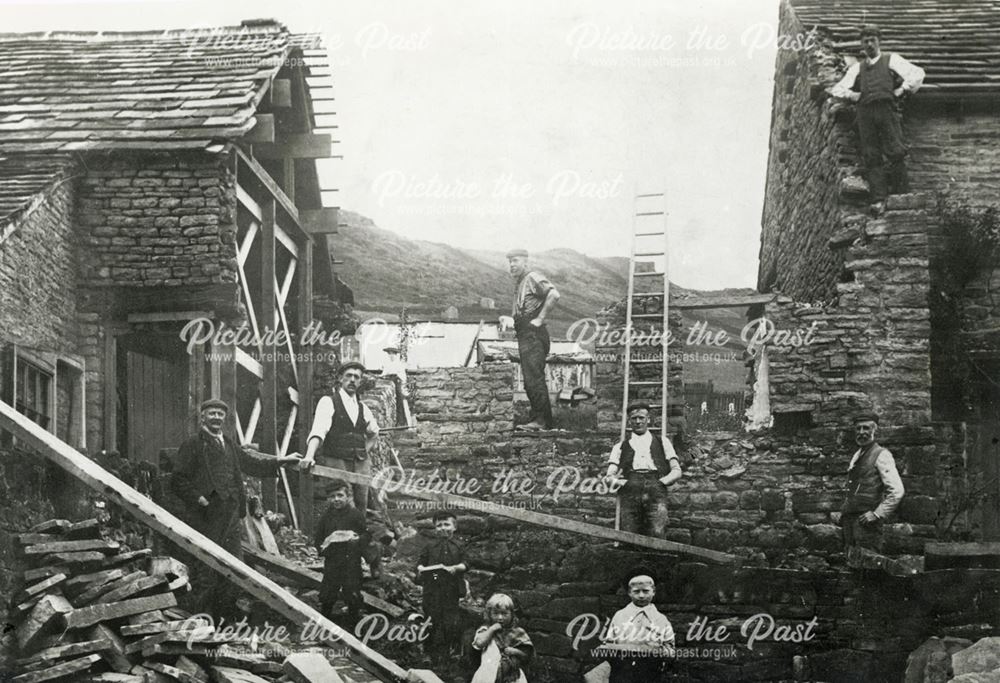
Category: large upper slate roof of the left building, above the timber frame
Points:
column 70, row 91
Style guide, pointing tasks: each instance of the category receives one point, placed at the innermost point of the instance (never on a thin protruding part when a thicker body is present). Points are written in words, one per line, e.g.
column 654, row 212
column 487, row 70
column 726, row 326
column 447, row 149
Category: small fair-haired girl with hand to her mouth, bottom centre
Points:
column 505, row 646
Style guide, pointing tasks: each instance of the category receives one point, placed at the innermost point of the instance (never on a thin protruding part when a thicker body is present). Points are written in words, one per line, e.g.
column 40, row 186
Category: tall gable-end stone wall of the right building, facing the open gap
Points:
column 810, row 152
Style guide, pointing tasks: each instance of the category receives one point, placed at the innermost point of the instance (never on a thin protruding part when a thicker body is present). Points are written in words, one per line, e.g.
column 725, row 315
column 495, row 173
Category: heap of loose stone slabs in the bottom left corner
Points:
column 90, row 612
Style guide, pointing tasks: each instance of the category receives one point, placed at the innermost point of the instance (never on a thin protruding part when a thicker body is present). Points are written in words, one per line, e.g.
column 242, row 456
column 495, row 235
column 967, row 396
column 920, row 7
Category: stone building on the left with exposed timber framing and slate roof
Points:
column 149, row 181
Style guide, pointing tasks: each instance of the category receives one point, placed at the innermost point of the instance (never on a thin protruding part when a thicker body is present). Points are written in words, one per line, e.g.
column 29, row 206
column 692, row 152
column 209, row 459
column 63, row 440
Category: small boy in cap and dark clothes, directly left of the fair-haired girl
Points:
column 441, row 571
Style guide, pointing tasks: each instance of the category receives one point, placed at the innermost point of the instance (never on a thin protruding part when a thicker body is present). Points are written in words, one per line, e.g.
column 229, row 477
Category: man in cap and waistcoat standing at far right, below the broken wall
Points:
column 874, row 488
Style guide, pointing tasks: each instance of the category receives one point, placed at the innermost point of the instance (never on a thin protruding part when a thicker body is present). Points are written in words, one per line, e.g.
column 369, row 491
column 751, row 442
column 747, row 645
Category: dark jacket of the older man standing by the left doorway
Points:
column 206, row 468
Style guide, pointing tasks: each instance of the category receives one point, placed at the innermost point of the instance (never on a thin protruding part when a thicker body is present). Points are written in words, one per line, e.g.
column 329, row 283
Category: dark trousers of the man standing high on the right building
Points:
column 883, row 151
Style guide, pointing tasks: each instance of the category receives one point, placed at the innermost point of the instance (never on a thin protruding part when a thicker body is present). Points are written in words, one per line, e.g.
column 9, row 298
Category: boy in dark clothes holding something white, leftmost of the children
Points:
column 341, row 535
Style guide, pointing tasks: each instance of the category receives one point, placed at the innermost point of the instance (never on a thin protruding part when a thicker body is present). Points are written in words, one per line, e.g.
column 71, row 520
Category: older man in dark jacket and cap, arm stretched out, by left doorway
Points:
column 208, row 478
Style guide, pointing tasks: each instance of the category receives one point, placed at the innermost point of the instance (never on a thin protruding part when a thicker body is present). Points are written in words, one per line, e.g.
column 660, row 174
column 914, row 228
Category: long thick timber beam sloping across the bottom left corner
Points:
column 201, row 547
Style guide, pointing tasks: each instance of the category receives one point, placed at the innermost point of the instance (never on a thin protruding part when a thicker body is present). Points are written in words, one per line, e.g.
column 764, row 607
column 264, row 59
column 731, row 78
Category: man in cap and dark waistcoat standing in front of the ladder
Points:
column 643, row 465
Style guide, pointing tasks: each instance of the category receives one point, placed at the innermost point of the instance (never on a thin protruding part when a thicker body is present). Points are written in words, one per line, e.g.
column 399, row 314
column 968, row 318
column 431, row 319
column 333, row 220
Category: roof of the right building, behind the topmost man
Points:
column 957, row 42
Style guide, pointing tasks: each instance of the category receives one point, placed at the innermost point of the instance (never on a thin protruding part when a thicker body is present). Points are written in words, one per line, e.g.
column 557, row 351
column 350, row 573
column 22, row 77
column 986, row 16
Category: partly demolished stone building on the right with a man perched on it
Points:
column 905, row 322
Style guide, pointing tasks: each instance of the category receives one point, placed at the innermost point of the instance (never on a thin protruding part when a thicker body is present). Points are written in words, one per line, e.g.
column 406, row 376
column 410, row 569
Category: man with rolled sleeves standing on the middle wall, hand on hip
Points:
column 534, row 298
